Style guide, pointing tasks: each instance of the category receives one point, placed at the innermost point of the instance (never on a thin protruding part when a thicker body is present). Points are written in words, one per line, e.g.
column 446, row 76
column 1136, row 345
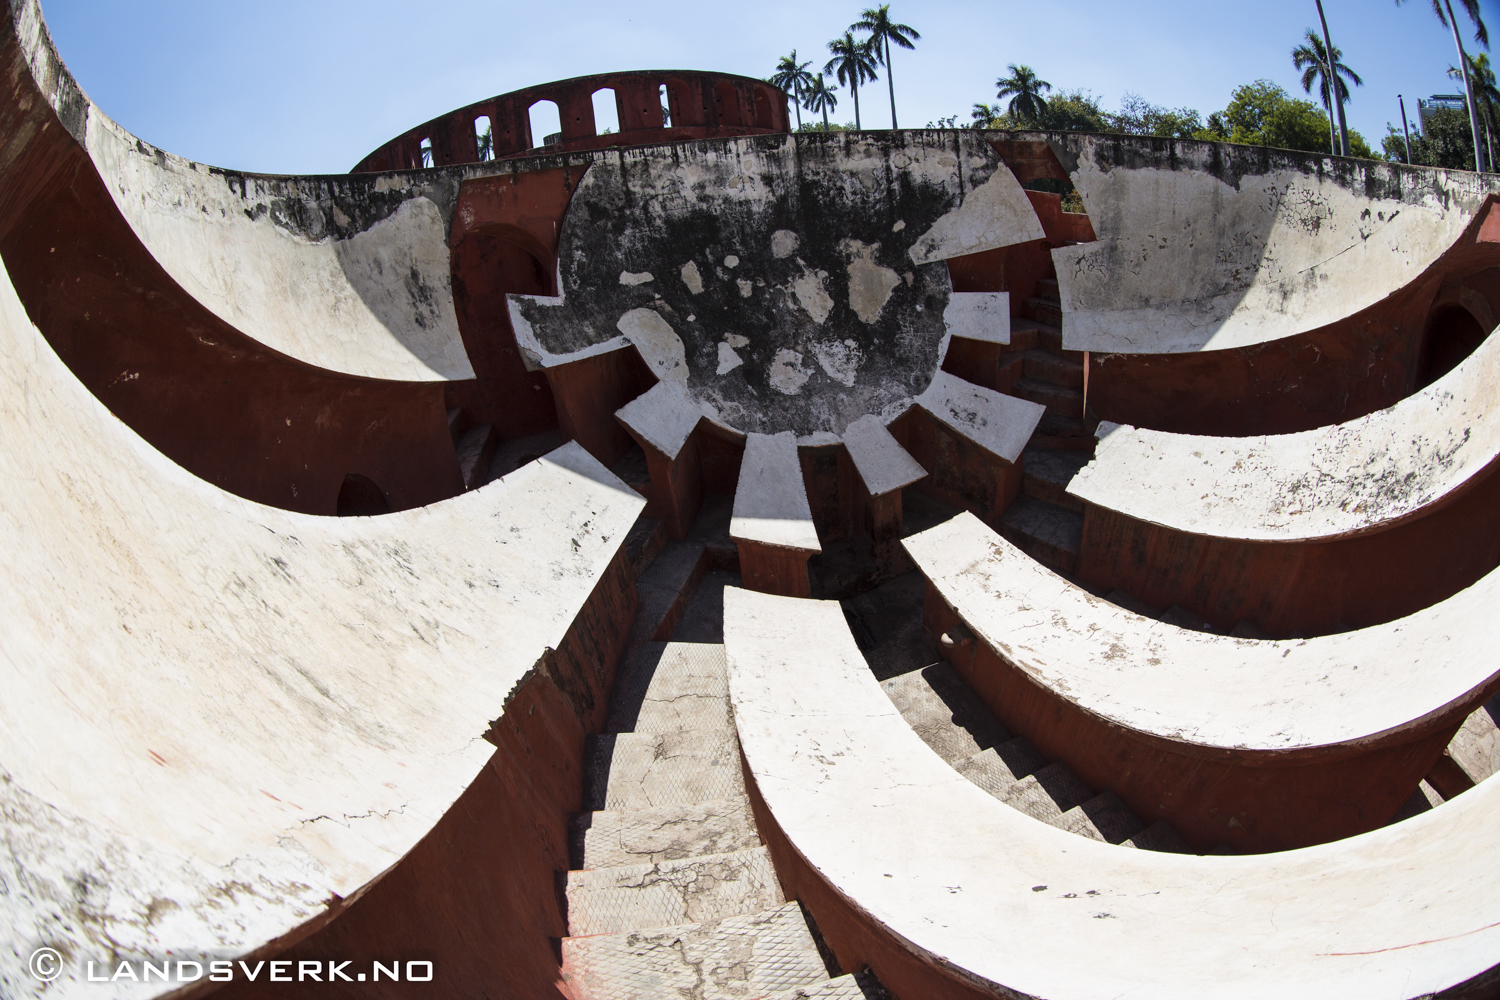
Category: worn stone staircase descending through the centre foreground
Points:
column 671, row 891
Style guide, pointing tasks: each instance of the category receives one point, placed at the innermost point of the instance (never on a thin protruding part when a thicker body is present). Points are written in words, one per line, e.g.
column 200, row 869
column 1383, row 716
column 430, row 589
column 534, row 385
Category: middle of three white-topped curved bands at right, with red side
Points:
column 1262, row 744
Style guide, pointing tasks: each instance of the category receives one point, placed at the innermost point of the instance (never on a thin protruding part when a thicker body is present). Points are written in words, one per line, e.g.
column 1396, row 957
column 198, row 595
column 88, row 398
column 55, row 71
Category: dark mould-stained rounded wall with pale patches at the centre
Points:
column 790, row 283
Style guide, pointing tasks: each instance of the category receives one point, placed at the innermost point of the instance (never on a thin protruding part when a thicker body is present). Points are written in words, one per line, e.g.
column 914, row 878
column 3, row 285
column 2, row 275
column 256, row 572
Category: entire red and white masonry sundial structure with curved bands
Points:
column 701, row 560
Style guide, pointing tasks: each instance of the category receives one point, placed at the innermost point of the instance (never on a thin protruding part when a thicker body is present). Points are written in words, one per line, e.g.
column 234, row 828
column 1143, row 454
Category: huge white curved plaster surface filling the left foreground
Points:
column 217, row 714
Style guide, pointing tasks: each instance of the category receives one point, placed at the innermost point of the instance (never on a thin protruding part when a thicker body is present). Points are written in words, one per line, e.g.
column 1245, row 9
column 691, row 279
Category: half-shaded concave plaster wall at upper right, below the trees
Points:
column 1208, row 247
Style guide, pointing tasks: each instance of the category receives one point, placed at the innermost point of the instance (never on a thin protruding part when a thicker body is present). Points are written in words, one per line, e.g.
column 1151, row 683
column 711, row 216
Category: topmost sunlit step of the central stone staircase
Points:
column 670, row 686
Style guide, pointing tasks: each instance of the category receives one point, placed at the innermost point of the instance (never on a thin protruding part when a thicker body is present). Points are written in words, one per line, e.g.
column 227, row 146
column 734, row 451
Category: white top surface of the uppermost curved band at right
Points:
column 1339, row 481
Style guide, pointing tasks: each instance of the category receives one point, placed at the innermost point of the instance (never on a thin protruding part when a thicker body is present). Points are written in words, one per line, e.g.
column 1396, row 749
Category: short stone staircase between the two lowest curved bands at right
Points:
column 952, row 719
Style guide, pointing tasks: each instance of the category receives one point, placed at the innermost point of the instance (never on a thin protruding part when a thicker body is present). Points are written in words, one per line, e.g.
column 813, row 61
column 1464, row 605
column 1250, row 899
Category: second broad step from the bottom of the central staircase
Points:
column 671, row 893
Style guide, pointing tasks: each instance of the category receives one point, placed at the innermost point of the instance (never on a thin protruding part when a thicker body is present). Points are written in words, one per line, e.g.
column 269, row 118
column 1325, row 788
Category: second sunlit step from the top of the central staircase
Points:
column 638, row 771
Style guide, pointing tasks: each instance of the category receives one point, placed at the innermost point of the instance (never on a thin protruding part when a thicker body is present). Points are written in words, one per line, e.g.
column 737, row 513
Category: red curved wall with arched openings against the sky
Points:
column 701, row 107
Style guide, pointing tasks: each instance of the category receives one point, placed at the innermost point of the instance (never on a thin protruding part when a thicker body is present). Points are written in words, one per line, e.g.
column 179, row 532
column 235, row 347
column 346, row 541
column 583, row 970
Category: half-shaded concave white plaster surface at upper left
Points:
column 379, row 304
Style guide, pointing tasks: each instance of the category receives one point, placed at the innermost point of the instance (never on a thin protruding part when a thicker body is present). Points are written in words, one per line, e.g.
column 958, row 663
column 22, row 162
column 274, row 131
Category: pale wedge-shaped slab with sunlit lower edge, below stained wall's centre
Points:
column 770, row 499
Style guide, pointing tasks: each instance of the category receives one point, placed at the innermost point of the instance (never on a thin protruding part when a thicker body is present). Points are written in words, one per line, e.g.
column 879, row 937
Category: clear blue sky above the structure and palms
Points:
column 313, row 86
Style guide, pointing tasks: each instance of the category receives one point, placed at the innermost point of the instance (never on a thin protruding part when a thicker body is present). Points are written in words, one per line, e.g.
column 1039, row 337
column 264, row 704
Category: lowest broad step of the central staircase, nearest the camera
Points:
column 737, row 959
